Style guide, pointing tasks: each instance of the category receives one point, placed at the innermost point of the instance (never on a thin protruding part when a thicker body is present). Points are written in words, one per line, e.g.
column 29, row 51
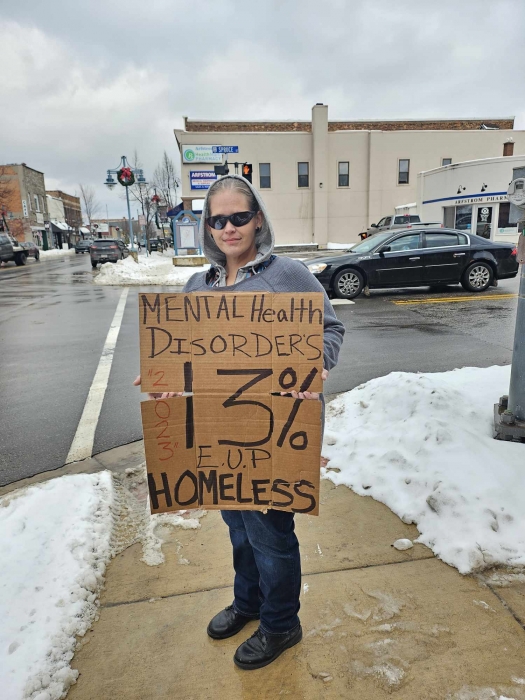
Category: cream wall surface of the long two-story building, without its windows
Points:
column 373, row 157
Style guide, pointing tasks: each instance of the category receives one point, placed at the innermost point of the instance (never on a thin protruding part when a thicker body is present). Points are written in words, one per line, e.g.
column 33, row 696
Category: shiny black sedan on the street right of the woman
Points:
column 411, row 258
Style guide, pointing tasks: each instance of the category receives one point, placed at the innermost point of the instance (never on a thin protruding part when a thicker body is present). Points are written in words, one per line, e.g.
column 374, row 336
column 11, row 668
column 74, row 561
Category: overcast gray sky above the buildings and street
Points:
column 82, row 83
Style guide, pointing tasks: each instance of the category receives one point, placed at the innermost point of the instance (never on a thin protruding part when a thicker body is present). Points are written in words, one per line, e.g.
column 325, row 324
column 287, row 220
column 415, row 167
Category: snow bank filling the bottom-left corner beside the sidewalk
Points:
column 54, row 547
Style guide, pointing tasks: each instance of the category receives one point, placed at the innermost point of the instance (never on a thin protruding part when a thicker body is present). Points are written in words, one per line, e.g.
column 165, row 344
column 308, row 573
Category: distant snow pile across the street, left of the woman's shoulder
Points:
column 155, row 269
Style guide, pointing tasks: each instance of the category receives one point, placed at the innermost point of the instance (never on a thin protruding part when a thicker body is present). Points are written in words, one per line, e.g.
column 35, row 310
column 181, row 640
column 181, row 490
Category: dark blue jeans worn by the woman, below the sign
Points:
column 267, row 567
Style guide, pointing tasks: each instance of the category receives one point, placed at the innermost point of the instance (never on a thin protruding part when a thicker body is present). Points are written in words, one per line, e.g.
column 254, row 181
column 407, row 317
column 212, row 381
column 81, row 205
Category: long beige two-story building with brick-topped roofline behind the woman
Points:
column 327, row 181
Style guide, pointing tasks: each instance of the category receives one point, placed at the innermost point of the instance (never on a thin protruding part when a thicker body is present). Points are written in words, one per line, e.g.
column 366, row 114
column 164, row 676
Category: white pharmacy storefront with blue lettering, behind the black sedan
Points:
column 471, row 196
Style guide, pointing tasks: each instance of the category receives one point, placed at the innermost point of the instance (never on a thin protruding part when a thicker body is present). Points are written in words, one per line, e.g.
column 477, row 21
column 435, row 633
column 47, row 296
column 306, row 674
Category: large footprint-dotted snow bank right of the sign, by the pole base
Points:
column 422, row 444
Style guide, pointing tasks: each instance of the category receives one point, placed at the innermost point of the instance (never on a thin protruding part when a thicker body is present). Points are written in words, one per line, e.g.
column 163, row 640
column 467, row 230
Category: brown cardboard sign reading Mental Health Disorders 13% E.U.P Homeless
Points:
column 235, row 442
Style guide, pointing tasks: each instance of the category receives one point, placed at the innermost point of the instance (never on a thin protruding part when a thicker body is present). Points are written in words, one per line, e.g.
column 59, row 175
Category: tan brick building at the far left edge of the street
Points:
column 23, row 199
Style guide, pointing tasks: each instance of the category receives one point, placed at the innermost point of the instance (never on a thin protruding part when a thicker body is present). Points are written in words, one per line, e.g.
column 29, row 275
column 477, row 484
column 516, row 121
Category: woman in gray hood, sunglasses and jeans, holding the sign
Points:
column 238, row 240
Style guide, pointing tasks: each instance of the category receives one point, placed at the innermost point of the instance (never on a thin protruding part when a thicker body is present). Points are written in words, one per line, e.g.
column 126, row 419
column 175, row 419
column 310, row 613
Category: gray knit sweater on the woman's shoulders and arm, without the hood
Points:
column 284, row 275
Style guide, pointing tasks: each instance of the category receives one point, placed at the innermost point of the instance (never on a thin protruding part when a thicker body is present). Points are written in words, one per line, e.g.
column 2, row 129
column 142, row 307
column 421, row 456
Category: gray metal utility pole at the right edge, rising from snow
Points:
column 509, row 414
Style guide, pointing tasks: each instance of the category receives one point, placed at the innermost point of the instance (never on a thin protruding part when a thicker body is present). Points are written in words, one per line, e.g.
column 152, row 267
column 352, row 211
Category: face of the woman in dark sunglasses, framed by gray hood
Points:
column 233, row 241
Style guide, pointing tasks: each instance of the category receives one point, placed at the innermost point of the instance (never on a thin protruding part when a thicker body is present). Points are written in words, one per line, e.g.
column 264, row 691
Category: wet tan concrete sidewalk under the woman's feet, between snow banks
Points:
column 377, row 622
